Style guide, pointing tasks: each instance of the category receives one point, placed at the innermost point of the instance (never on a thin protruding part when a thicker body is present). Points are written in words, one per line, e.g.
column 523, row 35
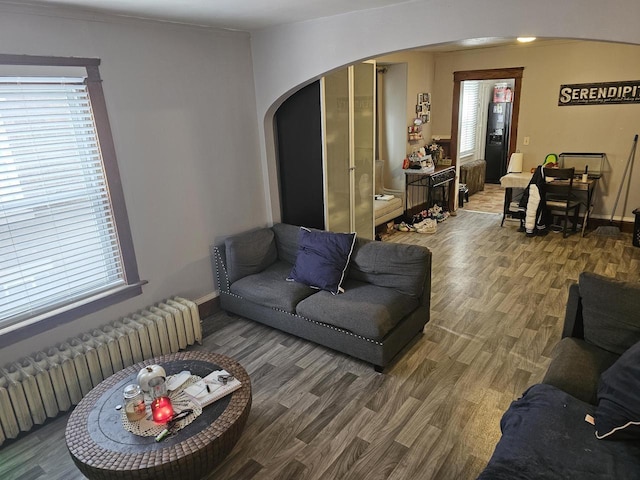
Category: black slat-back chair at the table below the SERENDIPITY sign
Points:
column 559, row 195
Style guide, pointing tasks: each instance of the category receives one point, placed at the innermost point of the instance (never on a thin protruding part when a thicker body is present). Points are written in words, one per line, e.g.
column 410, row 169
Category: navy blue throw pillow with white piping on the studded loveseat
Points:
column 322, row 259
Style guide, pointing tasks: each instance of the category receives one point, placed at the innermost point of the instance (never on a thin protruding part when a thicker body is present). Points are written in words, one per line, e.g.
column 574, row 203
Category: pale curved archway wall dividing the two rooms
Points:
column 288, row 56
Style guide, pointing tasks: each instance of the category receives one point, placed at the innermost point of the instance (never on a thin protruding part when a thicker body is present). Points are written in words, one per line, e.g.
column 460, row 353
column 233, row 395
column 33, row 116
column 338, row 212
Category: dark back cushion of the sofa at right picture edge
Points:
column 610, row 312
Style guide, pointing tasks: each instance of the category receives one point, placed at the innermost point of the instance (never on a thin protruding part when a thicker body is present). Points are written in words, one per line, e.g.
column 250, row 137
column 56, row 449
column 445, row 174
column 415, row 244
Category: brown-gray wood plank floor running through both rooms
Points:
column 498, row 301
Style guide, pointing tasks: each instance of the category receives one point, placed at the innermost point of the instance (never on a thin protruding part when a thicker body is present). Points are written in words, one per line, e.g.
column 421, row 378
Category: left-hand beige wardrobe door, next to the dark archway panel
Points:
column 336, row 133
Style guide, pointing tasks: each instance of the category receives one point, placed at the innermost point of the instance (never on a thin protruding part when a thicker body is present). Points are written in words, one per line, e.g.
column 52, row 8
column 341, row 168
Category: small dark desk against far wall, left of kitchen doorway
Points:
column 422, row 182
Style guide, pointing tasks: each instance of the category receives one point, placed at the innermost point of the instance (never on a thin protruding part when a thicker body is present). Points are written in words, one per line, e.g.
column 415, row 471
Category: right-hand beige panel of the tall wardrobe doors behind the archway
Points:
column 364, row 77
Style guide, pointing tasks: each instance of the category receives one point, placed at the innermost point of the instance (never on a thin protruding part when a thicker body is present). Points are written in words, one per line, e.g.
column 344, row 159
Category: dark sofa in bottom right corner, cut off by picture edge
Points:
column 545, row 434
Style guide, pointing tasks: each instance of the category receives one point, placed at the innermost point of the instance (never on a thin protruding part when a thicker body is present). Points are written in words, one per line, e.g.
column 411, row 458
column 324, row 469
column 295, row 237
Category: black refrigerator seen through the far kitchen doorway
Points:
column 497, row 143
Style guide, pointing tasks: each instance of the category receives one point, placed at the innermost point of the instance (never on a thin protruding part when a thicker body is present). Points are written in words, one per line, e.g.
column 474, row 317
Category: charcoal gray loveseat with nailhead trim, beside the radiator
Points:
column 385, row 304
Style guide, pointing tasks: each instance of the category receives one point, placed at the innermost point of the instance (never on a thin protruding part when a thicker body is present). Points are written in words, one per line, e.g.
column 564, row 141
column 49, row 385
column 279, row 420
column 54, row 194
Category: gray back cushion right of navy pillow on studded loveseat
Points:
column 398, row 266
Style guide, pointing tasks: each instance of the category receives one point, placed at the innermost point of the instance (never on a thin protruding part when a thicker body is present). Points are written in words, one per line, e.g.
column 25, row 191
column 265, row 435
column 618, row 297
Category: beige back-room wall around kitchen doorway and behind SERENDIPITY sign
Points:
column 555, row 129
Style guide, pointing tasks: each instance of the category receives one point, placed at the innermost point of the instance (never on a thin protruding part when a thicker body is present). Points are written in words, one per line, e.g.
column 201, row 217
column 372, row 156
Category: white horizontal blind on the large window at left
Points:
column 58, row 239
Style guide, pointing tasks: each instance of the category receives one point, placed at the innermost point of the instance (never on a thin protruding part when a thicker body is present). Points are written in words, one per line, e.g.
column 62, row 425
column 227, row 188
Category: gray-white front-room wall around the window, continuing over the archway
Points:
column 183, row 112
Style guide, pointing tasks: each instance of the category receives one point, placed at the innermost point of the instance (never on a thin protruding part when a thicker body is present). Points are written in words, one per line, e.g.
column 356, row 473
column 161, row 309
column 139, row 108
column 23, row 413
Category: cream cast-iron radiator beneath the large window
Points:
column 41, row 386
